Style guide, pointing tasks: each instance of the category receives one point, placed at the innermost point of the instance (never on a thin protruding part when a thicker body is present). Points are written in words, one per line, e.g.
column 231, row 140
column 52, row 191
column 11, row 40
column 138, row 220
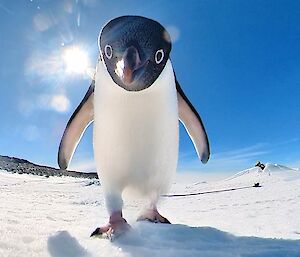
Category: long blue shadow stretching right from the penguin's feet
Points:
column 151, row 240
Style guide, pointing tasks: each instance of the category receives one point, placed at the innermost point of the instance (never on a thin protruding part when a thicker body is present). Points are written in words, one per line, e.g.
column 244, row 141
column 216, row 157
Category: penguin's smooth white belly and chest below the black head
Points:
column 136, row 134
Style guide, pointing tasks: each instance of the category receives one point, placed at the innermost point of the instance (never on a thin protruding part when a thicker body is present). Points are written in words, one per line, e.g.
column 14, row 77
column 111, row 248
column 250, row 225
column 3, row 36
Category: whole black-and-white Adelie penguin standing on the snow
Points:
column 135, row 102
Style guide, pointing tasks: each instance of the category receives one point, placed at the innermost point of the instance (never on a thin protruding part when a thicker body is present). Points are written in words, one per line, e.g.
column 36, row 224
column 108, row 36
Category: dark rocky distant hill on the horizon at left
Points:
column 21, row 166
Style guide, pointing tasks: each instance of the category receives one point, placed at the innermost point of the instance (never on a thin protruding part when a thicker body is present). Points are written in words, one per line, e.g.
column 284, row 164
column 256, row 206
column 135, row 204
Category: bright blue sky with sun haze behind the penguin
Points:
column 237, row 61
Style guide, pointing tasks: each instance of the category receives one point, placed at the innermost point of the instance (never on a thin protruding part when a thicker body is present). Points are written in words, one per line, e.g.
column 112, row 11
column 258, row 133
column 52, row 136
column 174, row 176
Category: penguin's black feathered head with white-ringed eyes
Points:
column 134, row 50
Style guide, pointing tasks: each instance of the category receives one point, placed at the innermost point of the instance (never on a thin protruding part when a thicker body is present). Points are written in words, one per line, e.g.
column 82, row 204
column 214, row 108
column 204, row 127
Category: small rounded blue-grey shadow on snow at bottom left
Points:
column 62, row 244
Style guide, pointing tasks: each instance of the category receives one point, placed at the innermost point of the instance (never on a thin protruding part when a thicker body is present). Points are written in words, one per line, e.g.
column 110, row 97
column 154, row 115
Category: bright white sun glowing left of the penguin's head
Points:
column 76, row 60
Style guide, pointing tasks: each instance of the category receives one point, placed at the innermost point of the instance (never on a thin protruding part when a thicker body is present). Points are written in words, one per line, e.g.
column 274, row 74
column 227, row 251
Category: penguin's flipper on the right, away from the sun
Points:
column 192, row 122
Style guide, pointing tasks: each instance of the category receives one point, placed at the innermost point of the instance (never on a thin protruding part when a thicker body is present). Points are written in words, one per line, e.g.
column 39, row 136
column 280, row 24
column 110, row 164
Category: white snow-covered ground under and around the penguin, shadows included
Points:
column 54, row 217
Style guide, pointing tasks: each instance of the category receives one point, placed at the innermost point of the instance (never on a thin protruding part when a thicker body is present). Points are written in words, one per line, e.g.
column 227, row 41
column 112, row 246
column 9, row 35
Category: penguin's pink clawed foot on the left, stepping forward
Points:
column 117, row 225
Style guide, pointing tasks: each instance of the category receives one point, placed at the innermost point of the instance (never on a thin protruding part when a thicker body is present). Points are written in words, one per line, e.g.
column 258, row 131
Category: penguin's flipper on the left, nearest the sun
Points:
column 79, row 121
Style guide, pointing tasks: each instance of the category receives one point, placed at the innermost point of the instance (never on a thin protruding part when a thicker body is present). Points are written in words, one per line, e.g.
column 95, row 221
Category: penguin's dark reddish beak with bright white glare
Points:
column 128, row 65
